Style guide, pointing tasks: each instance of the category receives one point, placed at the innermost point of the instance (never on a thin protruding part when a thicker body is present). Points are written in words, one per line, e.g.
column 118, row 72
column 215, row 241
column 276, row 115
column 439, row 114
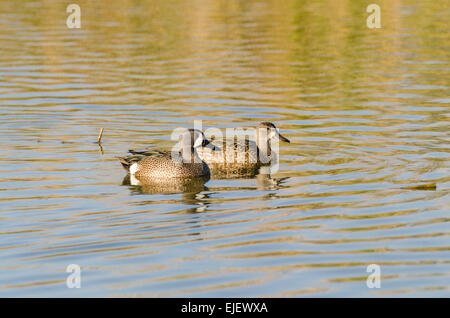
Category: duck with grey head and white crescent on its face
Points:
column 182, row 162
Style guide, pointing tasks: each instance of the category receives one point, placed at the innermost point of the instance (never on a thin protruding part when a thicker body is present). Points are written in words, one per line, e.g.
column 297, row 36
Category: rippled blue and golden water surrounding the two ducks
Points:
column 367, row 112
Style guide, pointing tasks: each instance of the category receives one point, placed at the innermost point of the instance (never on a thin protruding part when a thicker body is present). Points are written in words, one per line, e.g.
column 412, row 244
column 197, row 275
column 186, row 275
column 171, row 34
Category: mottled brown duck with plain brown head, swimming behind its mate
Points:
column 245, row 156
